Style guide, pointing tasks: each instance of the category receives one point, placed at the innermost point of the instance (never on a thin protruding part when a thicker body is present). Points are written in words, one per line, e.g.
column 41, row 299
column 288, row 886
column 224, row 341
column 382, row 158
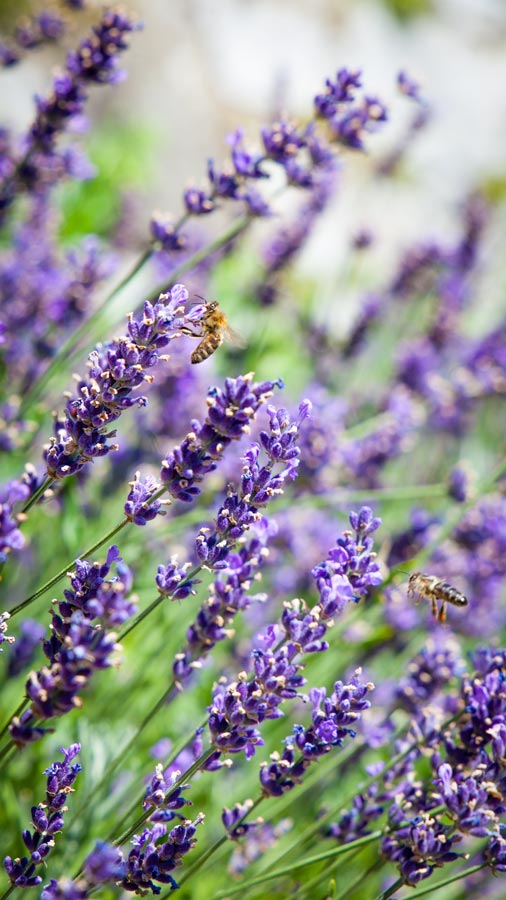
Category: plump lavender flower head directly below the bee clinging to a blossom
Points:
column 230, row 412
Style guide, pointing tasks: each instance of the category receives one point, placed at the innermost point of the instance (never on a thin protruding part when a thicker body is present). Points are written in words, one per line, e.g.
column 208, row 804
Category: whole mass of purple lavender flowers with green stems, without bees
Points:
column 237, row 547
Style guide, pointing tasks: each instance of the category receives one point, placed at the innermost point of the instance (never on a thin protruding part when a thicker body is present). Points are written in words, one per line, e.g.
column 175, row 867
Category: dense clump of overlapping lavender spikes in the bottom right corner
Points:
column 466, row 757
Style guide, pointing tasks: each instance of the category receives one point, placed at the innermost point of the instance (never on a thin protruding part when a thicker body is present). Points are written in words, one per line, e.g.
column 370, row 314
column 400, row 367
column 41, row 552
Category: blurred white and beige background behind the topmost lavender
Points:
column 201, row 68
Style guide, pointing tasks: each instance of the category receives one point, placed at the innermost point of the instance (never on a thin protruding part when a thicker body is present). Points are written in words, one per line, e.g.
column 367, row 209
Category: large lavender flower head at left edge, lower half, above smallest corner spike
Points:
column 78, row 646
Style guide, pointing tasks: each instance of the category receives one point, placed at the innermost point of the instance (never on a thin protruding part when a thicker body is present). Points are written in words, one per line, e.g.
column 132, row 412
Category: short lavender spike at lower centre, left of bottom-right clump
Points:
column 332, row 717
